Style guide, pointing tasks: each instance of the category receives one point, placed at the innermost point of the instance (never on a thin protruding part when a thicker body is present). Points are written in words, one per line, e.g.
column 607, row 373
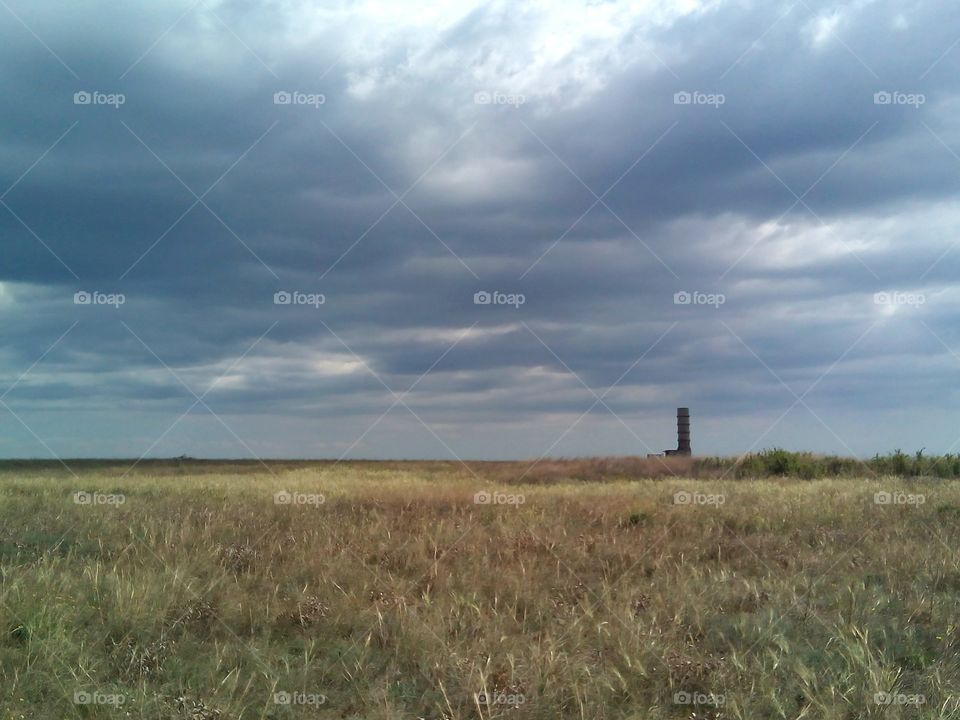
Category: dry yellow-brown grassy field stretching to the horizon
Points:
column 393, row 590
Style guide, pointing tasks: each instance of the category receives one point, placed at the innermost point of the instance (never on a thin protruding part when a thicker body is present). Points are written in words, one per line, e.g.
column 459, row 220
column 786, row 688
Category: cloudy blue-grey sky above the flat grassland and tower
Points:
column 279, row 228
